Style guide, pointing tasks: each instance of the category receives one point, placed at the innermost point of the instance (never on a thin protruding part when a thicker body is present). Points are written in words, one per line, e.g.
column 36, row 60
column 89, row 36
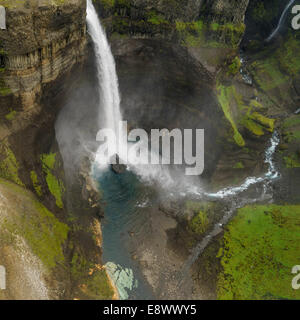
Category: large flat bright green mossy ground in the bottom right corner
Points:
column 261, row 245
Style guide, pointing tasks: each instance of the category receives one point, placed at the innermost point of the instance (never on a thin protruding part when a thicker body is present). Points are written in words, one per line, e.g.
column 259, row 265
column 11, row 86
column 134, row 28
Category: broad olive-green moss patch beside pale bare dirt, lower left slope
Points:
column 38, row 226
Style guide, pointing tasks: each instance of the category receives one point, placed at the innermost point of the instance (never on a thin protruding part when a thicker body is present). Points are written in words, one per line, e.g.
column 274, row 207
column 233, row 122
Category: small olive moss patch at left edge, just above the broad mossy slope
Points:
column 9, row 166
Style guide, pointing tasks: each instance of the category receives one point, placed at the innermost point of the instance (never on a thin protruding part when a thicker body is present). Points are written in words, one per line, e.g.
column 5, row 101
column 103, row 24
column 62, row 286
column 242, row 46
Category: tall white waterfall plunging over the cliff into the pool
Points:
column 109, row 96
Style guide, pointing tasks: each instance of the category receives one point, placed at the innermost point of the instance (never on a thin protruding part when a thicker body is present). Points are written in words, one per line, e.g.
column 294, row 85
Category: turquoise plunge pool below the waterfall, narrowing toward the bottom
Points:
column 125, row 200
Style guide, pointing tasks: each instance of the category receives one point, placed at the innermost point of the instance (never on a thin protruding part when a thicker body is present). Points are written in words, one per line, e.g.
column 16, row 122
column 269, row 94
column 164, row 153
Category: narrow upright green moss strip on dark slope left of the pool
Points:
column 55, row 185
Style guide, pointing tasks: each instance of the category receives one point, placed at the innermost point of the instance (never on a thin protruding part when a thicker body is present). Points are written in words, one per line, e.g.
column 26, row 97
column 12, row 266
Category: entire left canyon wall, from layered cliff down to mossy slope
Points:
column 43, row 56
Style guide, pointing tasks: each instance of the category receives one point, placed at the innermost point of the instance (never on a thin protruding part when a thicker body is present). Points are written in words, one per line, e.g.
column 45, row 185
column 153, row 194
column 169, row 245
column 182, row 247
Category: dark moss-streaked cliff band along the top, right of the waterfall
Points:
column 201, row 23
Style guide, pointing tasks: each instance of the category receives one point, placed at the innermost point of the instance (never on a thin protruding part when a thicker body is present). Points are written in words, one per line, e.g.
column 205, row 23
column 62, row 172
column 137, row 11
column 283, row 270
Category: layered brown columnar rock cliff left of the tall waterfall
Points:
column 41, row 43
